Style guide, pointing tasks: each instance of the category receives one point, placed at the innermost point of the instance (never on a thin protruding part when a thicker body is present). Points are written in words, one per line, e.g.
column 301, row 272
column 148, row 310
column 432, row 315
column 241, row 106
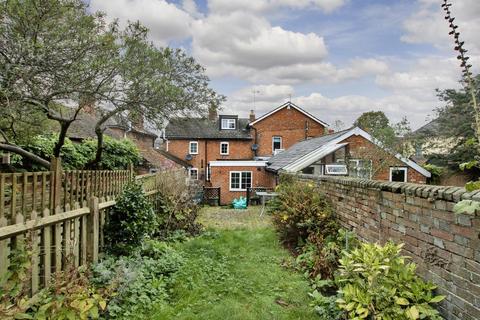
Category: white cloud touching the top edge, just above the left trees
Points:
column 165, row 20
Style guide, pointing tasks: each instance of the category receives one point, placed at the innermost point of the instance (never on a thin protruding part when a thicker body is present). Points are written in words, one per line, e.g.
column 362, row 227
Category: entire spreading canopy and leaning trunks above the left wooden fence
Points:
column 56, row 60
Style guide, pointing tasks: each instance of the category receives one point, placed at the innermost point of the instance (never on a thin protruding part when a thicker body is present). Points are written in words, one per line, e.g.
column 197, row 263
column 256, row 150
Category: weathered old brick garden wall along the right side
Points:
column 445, row 246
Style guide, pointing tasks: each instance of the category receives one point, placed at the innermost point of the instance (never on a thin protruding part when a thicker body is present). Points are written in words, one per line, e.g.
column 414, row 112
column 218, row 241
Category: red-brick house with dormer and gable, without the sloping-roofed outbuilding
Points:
column 229, row 152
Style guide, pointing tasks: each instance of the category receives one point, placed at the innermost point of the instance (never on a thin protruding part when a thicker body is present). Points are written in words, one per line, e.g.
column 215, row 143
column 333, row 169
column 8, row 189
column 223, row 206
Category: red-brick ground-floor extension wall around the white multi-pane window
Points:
column 221, row 178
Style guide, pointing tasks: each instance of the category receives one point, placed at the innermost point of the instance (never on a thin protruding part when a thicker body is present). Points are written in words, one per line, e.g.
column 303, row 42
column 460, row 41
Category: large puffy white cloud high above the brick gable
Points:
column 242, row 39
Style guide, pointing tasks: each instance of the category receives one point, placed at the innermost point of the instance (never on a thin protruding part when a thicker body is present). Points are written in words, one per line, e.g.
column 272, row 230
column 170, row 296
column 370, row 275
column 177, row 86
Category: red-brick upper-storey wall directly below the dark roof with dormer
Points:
column 209, row 150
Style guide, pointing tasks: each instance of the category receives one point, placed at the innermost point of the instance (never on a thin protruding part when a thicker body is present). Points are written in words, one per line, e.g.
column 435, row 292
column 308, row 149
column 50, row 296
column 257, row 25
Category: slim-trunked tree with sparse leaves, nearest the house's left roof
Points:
column 154, row 84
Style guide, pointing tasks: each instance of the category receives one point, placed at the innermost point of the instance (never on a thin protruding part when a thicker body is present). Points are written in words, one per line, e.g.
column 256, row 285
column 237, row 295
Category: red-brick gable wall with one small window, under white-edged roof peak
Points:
column 287, row 123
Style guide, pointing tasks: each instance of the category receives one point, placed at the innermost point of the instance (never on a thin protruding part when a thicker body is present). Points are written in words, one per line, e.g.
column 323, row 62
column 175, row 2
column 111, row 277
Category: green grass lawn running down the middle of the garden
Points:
column 234, row 271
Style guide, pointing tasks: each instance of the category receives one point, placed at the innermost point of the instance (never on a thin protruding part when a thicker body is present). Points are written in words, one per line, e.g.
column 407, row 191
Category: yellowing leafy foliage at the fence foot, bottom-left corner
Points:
column 69, row 294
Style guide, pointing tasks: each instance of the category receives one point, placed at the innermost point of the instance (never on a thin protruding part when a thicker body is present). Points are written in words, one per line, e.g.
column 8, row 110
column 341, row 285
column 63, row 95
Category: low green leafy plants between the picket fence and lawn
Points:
column 142, row 280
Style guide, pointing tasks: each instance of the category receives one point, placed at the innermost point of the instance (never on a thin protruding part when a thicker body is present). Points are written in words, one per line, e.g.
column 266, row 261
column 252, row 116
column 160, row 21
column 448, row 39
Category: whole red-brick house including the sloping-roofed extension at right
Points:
column 239, row 153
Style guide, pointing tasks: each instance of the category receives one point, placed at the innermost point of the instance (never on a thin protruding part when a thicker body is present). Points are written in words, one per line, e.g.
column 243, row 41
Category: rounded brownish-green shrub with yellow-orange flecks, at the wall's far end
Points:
column 299, row 210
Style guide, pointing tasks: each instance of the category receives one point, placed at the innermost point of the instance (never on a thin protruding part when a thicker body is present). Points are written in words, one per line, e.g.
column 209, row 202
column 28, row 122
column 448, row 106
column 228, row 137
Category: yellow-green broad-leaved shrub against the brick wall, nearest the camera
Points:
column 375, row 282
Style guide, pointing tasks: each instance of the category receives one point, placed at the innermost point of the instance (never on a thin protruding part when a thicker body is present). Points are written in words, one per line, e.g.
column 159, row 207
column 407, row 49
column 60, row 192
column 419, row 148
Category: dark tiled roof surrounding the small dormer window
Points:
column 202, row 128
